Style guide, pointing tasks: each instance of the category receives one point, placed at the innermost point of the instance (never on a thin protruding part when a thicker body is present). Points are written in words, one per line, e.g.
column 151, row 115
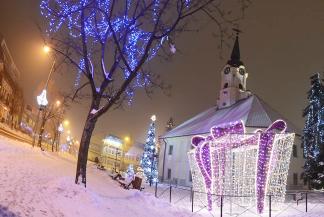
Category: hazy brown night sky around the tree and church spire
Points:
column 282, row 45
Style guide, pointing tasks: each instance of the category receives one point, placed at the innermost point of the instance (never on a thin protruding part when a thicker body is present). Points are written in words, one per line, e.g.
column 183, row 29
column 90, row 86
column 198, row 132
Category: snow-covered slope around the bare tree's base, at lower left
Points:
column 35, row 183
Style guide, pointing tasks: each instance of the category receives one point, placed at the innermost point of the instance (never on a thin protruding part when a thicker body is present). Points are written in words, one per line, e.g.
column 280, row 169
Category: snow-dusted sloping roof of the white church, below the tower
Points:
column 253, row 111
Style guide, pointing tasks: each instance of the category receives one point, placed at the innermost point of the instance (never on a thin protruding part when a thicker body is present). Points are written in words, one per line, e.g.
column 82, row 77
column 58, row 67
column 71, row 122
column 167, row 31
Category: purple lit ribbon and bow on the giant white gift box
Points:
column 212, row 166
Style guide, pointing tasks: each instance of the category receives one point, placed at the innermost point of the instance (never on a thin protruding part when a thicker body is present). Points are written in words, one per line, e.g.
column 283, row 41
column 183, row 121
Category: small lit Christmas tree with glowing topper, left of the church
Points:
column 149, row 161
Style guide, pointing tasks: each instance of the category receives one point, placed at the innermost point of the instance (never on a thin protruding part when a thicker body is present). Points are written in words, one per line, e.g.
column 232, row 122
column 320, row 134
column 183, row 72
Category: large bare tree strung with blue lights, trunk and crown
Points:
column 110, row 43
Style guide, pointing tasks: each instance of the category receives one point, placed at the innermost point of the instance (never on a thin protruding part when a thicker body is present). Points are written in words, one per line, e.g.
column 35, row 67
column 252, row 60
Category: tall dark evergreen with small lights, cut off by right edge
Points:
column 313, row 134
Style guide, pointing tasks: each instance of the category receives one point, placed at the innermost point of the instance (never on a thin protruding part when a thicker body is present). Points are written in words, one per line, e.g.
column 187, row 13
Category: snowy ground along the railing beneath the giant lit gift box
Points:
column 181, row 198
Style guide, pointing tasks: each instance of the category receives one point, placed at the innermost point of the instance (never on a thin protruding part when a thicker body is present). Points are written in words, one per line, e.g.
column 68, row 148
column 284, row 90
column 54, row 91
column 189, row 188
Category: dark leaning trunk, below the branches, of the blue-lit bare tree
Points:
column 83, row 150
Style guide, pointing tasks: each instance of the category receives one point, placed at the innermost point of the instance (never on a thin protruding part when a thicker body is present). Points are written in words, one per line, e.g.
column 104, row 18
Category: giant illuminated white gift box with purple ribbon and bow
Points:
column 249, row 166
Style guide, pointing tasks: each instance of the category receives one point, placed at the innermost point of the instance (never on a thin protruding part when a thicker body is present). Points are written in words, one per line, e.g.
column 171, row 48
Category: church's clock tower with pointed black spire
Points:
column 233, row 79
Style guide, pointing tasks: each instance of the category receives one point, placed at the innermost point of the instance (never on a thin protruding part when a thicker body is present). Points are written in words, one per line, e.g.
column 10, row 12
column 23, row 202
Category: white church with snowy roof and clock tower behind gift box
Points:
column 235, row 103
